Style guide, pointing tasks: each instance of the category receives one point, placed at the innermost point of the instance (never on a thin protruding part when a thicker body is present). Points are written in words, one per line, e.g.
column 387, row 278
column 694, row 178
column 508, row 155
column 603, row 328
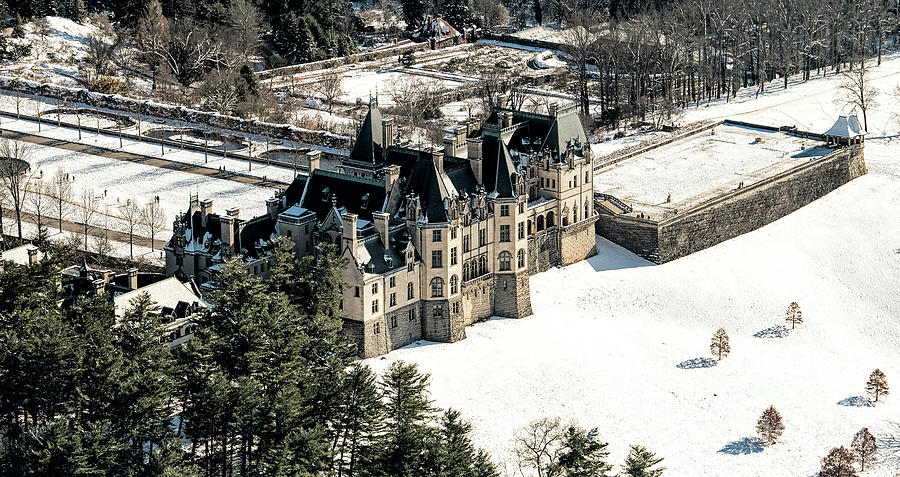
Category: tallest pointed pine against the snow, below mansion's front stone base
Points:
column 408, row 412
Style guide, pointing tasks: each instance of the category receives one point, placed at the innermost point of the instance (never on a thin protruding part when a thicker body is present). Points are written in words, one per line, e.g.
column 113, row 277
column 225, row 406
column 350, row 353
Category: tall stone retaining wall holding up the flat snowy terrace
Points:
column 734, row 213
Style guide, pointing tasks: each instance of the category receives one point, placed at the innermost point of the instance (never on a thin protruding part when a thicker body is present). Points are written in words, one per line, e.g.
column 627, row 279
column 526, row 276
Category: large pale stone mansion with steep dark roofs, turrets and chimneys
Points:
column 435, row 239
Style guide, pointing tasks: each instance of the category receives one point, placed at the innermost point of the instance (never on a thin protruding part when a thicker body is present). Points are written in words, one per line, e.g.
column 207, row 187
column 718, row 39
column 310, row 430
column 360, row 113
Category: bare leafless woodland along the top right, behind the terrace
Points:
column 643, row 60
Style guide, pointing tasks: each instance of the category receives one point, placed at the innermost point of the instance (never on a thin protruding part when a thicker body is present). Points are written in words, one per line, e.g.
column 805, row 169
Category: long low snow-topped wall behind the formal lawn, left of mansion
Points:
column 54, row 93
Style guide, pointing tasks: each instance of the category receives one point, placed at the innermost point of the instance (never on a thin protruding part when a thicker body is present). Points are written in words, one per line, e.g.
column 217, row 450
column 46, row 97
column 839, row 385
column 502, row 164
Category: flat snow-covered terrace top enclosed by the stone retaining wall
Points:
column 699, row 167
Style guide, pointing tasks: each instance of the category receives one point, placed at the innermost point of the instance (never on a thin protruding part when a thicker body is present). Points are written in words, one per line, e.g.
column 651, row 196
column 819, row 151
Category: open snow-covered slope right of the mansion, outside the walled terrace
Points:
column 608, row 334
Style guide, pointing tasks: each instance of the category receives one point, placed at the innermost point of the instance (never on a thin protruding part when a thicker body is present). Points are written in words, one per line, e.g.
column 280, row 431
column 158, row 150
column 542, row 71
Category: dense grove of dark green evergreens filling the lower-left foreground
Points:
column 268, row 386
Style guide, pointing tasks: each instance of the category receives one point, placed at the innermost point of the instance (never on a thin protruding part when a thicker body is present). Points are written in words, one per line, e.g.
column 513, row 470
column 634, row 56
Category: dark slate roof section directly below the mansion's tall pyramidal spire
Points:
column 358, row 195
